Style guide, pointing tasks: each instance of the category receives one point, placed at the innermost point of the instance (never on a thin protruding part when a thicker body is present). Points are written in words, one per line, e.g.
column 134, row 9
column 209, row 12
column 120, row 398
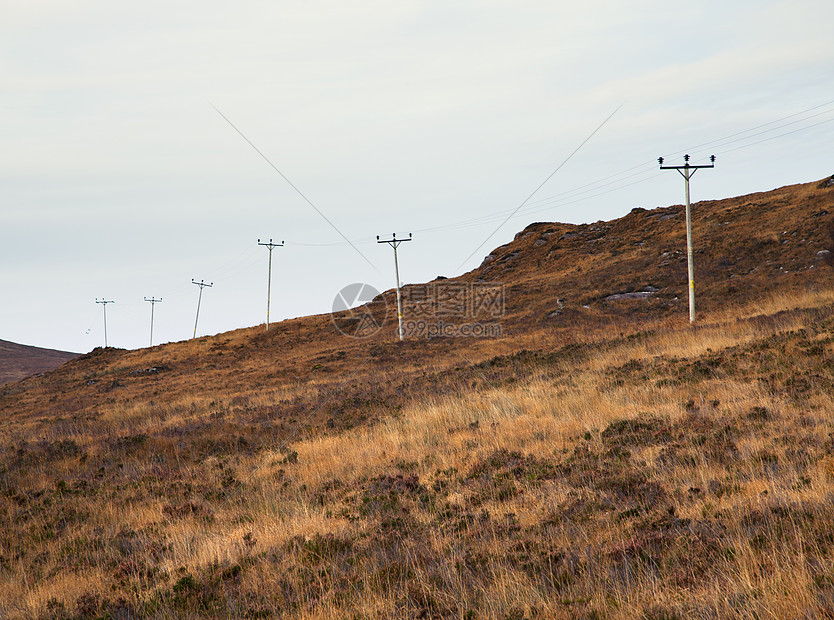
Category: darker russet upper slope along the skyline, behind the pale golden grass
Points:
column 746, row 249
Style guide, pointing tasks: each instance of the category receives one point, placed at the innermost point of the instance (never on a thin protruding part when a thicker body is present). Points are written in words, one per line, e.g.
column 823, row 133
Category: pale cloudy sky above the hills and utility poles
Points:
column 148, row 144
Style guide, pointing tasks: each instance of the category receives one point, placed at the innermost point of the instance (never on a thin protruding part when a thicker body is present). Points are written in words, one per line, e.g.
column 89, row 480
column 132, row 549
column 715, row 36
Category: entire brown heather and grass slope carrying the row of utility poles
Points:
column 599, row 462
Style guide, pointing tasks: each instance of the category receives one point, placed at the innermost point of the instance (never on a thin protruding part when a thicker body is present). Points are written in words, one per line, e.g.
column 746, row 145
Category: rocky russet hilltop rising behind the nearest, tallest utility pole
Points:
column 743, row 248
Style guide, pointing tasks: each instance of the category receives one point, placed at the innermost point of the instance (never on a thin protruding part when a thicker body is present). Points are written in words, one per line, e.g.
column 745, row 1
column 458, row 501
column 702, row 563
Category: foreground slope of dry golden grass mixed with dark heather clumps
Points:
column 573, row 489
